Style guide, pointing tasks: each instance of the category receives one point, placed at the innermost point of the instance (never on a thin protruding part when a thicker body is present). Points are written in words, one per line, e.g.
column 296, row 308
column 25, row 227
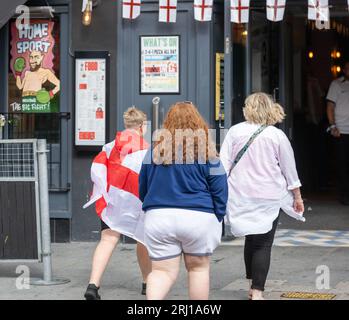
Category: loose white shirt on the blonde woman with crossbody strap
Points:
column 260, row 184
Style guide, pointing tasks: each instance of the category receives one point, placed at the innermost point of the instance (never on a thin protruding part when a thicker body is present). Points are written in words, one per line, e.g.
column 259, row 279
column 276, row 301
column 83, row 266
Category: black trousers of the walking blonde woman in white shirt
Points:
column 257, row 254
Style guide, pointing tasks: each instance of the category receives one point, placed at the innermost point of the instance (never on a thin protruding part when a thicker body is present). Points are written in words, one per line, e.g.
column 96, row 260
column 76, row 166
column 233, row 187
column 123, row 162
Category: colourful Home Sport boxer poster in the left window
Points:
column 36, row 86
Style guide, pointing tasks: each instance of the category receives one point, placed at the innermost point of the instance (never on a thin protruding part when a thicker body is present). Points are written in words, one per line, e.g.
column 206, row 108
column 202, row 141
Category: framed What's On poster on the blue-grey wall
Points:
column 159, row 66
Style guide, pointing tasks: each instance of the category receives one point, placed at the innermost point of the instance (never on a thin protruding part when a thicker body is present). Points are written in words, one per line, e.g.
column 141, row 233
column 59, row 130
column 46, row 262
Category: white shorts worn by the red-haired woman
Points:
column 169, row 232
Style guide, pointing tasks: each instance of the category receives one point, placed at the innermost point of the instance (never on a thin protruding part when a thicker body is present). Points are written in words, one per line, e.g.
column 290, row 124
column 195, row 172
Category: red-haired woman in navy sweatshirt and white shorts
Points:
column 184, row 192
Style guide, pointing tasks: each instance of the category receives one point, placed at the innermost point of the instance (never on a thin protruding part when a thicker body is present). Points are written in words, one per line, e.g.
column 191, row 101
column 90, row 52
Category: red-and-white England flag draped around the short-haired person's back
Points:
column 114, row 174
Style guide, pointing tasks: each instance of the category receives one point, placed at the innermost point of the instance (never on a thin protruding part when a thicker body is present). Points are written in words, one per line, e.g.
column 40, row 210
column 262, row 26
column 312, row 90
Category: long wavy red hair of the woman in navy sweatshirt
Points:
column 184, row 137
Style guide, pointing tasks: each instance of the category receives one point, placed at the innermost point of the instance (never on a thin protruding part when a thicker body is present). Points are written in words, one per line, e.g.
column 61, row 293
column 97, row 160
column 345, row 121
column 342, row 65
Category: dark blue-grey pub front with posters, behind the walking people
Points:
column 214, row 64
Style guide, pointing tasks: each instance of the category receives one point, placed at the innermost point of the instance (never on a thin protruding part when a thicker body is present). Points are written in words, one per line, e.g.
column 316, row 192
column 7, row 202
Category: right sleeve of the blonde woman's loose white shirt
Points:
column 287, row 163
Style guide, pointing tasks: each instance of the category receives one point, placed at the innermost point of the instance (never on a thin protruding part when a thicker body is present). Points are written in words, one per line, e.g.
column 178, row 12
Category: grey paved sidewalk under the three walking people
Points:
column 293, row 269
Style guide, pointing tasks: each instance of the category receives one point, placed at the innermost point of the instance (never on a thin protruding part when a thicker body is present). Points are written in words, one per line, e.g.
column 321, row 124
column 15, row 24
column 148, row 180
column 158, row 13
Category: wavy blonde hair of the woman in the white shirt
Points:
column 261, row 109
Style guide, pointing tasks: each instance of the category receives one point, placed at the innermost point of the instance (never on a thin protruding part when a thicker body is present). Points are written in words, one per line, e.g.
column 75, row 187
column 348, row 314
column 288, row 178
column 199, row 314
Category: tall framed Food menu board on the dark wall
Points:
column 91, row 77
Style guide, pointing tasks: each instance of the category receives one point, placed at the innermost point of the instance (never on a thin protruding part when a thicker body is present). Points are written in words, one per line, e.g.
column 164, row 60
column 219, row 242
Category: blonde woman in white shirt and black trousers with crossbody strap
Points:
column 262, row 179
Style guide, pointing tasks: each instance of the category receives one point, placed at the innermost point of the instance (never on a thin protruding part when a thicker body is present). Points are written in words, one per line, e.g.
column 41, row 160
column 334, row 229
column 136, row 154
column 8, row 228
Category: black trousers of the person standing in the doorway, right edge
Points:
column 342, row 152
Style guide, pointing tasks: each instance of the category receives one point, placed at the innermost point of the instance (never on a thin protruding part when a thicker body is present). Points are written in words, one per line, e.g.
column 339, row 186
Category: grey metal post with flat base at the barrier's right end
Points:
column 45, row 219
